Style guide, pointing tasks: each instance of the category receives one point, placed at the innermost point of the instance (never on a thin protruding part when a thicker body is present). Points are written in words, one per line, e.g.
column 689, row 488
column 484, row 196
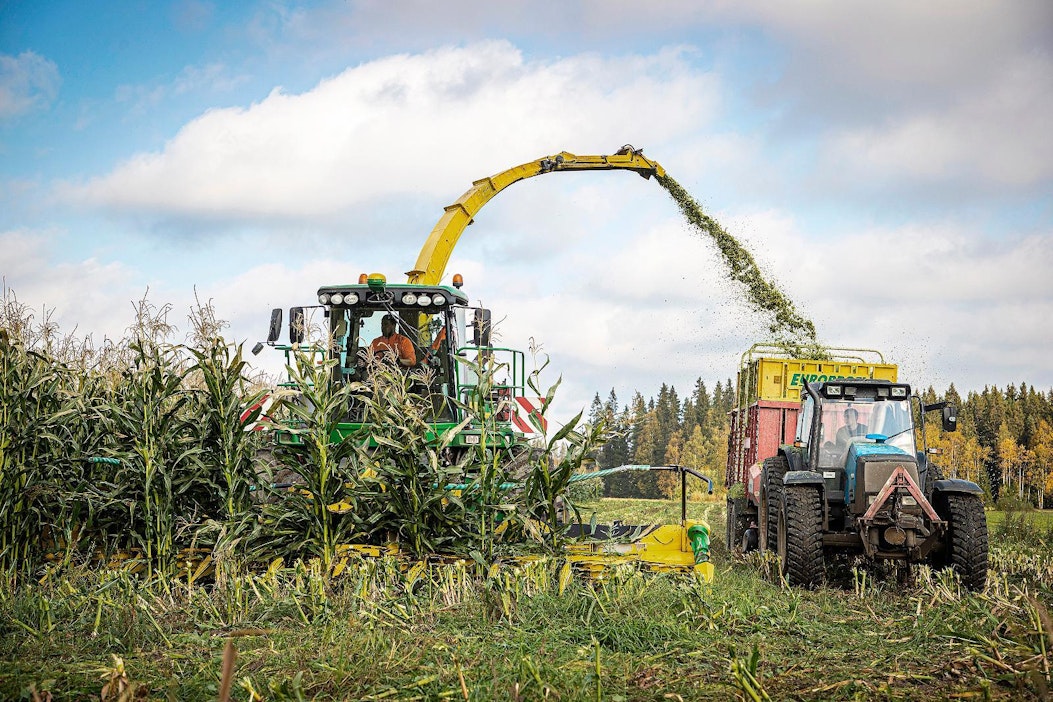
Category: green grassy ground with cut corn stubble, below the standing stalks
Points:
column 528, row 633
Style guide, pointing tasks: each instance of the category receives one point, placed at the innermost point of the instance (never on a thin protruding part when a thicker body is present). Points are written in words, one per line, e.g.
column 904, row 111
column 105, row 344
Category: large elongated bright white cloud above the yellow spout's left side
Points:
column 406, row 125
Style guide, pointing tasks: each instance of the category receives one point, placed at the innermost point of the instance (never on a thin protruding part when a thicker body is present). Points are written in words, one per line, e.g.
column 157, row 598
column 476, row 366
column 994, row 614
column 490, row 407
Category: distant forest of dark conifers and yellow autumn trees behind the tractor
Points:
column 1004, row 443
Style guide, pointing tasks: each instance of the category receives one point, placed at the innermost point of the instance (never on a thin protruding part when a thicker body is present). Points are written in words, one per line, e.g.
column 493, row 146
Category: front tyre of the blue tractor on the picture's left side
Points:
column 800, row 538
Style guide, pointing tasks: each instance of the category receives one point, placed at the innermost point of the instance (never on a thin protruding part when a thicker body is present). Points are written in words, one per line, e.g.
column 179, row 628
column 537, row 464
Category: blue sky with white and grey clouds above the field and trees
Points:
column 890, row 167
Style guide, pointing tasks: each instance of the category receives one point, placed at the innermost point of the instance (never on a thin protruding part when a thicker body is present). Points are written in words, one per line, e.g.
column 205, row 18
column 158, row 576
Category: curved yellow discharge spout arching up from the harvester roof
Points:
column 432, row 262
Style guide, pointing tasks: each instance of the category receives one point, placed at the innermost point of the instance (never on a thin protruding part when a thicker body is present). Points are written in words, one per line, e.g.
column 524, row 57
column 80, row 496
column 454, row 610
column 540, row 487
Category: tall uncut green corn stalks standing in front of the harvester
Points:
column 137, row 452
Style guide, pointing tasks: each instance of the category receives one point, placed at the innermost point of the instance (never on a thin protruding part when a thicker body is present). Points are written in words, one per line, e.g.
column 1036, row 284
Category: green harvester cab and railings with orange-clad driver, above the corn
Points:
column 430, row 332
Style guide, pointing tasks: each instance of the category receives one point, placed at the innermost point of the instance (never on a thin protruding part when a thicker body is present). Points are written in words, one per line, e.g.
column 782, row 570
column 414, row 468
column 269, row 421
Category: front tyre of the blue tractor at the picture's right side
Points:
column 966, row 546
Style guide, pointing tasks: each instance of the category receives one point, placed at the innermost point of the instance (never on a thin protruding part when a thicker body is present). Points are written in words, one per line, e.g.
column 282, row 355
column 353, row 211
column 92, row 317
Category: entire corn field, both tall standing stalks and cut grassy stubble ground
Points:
column 147, row 554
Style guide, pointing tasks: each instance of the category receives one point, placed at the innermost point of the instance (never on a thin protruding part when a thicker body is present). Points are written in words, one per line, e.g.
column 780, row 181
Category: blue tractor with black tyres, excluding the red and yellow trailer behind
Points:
column 856, row 483
